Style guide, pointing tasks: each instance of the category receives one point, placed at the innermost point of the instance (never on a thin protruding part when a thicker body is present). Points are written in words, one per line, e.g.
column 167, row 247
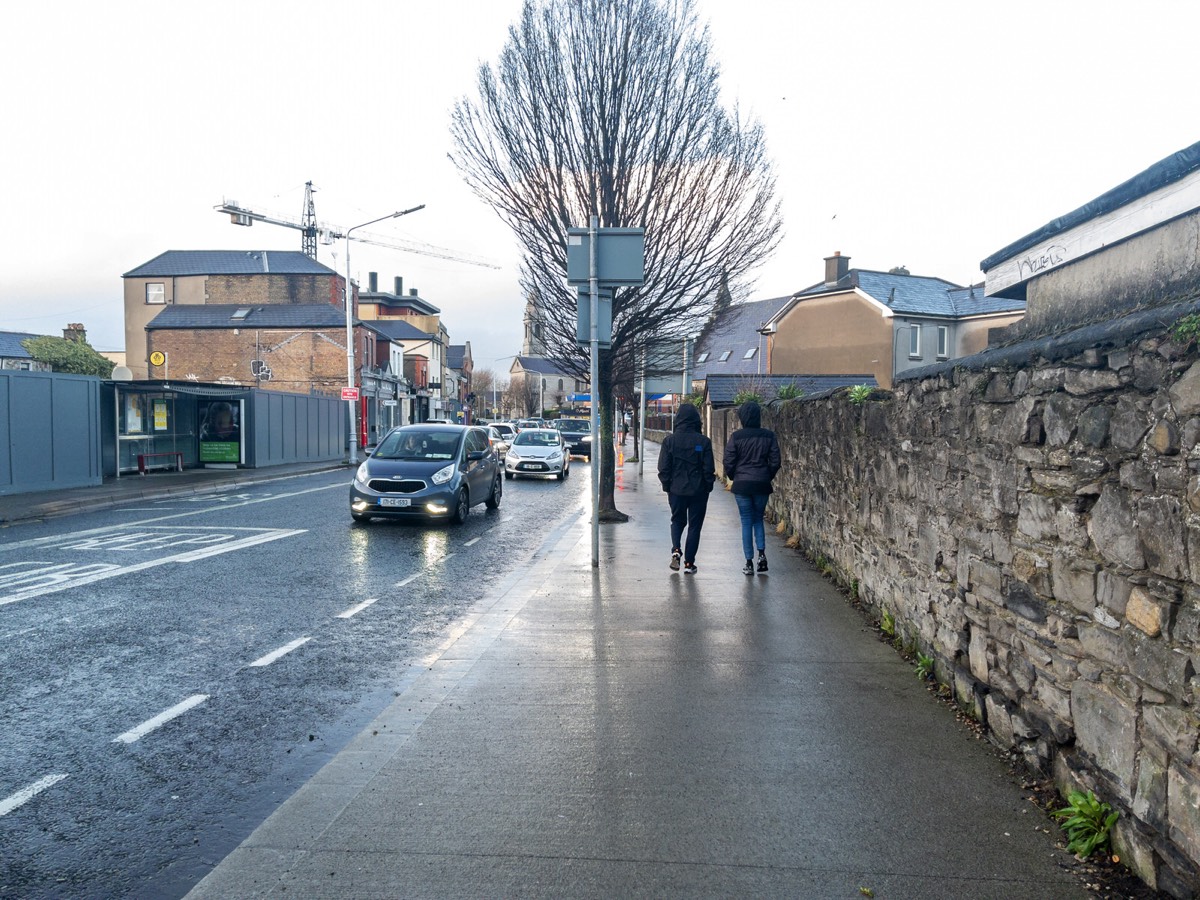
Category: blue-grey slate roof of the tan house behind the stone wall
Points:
column 917, row 295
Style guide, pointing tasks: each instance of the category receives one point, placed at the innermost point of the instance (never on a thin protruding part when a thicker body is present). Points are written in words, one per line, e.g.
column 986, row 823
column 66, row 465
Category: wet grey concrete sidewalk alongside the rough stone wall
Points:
column 633, row 731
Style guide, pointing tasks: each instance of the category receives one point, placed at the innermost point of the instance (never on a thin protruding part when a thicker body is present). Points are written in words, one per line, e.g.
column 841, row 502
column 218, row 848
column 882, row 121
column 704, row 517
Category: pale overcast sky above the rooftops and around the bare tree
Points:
column 927, row 135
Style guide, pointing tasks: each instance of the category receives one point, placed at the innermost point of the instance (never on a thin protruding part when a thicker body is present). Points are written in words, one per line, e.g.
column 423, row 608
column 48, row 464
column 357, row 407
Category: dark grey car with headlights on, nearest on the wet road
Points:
column 430, row 472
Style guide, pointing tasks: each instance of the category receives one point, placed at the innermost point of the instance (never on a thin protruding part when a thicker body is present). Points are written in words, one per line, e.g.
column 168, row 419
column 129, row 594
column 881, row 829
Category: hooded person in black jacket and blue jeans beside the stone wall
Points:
column 752, row 460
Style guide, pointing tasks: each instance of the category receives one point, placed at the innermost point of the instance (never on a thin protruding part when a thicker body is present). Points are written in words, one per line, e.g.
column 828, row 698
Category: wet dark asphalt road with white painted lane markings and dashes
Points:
column 170, row 674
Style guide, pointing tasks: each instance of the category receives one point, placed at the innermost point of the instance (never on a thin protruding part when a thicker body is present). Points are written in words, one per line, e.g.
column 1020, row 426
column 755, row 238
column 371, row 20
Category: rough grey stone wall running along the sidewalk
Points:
column 1031, row 519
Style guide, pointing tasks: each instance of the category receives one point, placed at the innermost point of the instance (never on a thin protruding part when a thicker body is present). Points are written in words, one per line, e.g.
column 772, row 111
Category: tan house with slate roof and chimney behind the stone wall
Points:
column 863, row 321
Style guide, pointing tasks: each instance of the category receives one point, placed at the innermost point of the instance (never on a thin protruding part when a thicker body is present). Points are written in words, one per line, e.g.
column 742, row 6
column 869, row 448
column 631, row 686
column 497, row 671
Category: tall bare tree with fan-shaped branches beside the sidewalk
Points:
column 613, row 109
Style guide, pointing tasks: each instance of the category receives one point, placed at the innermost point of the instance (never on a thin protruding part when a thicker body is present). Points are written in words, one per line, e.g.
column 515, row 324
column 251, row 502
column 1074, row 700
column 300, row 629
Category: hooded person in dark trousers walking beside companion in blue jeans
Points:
column 687, row 470
